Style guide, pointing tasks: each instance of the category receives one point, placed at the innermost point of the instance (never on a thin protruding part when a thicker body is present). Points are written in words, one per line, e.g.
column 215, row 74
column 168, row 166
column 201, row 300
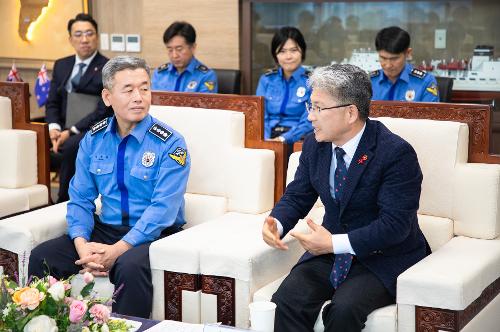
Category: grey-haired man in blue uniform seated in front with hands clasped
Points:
column 140, row 168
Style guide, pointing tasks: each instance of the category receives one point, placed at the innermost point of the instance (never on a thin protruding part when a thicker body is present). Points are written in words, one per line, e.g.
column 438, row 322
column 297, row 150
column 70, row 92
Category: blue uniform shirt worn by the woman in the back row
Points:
column 285, row 103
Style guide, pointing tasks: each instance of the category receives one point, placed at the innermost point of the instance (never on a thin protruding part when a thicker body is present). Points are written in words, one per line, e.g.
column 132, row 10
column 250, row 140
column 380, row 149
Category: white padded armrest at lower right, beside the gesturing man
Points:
column 452, row 277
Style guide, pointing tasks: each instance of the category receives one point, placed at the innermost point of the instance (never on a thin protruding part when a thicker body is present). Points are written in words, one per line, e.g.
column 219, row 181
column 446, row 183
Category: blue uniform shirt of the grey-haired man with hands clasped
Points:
column 141, row 178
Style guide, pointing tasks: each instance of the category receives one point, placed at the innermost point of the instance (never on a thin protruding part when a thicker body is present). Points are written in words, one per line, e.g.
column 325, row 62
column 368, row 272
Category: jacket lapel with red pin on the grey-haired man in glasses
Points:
column 362, row 157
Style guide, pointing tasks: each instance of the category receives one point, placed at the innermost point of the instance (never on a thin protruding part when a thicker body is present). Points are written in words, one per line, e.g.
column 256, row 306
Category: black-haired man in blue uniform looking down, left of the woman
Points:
column 184, row 72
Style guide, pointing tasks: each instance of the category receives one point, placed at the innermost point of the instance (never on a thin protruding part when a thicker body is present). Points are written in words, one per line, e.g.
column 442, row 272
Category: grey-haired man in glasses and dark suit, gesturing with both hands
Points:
column 369, row 181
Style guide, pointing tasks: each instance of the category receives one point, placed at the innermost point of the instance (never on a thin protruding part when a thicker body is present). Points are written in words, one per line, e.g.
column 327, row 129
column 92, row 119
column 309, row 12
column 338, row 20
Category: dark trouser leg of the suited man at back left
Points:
column 67, row 155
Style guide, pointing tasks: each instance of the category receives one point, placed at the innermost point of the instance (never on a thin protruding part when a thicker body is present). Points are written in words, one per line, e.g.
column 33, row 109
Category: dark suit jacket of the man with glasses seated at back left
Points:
column 90, row 83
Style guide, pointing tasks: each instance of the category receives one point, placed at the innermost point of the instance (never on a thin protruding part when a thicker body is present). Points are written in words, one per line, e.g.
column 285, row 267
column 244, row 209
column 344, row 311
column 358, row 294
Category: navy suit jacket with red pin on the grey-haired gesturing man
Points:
column 379, row 206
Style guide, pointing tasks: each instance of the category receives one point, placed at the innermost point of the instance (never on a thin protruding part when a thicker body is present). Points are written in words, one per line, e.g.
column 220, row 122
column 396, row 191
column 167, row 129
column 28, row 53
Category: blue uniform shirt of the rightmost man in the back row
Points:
column 412, row 85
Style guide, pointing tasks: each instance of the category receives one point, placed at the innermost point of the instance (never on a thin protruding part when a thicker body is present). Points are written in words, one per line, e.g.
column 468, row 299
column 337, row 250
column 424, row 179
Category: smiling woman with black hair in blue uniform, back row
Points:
column 285, row 88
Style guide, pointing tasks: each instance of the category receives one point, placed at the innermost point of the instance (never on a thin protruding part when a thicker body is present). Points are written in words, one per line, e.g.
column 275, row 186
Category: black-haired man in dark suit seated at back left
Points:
column 80, row 73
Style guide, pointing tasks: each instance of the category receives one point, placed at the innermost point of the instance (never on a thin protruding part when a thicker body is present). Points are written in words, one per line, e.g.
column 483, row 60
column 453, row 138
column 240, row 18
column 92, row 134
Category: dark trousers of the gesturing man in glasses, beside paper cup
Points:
column 304, row 291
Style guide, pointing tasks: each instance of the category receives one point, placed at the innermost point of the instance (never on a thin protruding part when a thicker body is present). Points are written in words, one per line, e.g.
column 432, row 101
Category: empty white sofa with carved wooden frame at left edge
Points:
column 19, row 188
